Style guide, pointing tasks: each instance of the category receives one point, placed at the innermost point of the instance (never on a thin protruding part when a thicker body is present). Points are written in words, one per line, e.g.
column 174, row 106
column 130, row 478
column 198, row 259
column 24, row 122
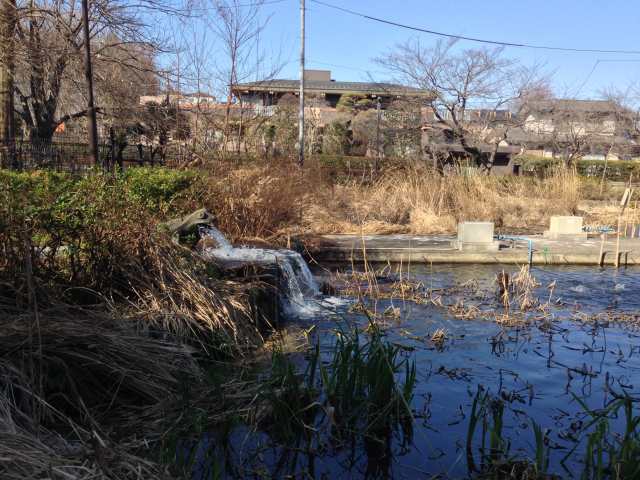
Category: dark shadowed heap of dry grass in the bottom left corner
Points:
column 66, row 375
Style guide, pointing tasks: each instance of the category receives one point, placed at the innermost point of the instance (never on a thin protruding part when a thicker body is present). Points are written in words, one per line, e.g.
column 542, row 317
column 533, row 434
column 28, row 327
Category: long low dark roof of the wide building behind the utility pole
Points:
column 316, row 86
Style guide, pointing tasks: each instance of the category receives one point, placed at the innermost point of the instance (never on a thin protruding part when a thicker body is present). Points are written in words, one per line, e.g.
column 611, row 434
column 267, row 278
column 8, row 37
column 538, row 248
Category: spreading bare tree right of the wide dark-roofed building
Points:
column 471, row 91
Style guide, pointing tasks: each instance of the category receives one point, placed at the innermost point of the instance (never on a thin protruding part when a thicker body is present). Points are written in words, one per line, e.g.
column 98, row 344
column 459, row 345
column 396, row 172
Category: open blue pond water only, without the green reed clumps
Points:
column 538, row 370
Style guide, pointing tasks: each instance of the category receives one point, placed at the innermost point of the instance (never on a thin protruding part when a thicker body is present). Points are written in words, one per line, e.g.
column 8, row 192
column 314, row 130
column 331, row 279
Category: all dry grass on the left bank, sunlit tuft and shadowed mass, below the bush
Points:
column 77, row 382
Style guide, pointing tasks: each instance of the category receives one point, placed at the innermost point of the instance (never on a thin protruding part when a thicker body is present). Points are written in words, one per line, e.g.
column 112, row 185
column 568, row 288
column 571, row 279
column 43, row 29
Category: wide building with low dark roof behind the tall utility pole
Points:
column 320, row 87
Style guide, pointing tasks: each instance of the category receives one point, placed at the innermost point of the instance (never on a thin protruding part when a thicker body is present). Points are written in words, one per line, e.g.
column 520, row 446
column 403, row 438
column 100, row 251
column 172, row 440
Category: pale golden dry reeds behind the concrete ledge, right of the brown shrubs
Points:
column 414, row 200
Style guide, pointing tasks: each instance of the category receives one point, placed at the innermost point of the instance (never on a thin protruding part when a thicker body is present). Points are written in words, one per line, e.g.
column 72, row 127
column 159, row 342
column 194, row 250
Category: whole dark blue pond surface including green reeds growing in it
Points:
column 484, row 398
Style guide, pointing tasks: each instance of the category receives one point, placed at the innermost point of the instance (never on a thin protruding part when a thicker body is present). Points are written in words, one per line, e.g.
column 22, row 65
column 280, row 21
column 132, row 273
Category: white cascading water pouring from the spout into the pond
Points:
column 300, row 285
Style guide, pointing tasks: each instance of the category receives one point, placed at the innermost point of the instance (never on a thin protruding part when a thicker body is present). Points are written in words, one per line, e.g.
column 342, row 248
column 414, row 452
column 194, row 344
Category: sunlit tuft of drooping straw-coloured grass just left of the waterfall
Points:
column 175, row 295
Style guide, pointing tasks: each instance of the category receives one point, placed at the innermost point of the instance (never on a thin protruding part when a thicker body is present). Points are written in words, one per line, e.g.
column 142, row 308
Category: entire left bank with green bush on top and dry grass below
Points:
column 105, row 323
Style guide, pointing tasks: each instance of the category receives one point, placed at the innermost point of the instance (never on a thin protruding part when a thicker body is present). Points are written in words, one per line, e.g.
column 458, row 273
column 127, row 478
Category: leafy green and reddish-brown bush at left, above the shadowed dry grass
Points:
column 70, row 230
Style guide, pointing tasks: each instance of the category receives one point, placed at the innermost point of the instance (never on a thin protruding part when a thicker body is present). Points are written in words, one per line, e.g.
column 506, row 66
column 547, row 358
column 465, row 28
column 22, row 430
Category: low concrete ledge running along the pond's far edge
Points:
column 438, row 249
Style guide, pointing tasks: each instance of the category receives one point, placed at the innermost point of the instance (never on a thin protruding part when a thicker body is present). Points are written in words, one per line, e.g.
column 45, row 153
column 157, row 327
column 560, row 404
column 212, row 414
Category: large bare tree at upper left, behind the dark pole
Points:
column 49, row 44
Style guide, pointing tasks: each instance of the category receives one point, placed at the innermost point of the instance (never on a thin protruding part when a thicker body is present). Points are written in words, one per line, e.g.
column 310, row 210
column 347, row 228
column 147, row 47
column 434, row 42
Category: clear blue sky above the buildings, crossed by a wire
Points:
column 347, row 45
